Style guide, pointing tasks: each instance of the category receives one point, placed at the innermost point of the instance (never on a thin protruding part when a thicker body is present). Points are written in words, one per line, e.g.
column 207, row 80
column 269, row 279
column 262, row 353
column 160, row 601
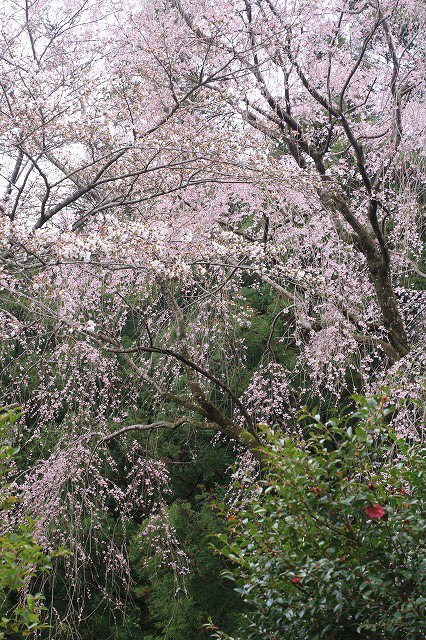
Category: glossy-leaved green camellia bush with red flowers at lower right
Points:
column 330, row 544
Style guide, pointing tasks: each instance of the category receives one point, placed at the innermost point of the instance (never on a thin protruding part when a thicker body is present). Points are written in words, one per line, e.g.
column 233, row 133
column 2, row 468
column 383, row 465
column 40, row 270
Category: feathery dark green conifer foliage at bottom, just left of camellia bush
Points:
column 180, row 614
